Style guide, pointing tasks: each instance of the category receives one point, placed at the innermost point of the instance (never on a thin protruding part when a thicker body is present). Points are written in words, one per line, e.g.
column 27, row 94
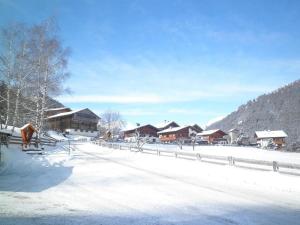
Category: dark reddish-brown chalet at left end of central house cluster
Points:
column 143, row 130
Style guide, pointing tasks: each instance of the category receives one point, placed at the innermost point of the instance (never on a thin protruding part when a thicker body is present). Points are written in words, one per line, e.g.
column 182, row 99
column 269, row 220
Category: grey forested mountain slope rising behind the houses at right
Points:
column 279, row 110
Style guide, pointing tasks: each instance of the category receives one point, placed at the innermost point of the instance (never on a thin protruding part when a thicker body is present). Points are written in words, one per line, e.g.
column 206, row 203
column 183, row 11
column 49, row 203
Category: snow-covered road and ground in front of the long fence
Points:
column 95, row 185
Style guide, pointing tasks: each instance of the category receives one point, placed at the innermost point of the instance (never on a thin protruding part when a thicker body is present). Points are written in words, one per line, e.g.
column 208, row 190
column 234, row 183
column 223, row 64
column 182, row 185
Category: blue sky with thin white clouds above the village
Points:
column 183, row 60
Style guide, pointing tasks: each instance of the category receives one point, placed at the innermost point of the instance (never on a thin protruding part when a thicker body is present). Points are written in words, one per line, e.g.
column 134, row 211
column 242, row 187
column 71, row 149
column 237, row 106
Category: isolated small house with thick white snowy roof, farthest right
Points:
column 265, row 138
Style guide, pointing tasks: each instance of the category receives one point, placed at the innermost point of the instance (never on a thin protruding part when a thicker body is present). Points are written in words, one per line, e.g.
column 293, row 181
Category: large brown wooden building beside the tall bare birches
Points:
column 82, row 122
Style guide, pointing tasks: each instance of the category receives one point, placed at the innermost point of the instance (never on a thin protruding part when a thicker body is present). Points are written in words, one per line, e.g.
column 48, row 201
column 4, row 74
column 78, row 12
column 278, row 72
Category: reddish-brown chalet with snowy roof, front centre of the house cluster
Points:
column 175, row 133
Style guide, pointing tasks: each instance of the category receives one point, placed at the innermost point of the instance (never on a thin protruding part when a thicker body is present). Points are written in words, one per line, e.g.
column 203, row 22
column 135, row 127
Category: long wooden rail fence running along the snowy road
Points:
column 230, row 160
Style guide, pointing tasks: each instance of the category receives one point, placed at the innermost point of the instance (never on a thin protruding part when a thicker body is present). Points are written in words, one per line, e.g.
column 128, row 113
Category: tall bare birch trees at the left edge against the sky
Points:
column 33, row 66
